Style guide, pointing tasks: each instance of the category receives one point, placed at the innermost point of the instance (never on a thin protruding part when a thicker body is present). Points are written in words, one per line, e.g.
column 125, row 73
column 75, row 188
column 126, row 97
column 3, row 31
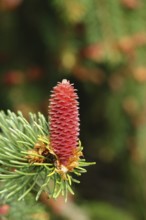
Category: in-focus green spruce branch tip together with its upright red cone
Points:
column 33, row 160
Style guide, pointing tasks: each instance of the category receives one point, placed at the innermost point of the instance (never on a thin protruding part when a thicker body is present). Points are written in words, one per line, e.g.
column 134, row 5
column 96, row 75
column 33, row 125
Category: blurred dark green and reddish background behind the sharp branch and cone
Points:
column 100, row 46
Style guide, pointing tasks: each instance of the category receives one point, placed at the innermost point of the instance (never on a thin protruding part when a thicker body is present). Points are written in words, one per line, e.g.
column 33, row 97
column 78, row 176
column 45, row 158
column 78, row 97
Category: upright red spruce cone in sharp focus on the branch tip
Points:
column 64, row 121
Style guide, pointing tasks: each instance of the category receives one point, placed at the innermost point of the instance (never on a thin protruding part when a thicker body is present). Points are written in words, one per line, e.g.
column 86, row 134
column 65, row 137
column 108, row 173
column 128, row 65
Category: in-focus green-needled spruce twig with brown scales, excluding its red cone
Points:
column 28, row 161
